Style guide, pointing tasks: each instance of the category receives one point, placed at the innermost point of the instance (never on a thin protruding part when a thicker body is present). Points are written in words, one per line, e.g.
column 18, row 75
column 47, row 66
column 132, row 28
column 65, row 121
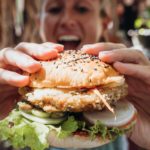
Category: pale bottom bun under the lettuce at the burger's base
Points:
column 75, row 141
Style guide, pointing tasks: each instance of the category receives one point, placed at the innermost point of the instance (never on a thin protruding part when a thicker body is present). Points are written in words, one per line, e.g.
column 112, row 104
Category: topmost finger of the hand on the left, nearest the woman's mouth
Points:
column 39, row 51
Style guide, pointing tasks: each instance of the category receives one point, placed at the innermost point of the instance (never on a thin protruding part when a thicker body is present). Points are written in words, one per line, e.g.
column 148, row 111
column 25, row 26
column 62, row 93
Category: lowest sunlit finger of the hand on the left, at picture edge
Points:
column 13, row 78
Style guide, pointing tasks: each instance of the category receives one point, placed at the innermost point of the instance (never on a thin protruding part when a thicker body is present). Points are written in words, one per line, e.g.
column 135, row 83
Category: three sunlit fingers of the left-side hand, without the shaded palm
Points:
column 24, row 57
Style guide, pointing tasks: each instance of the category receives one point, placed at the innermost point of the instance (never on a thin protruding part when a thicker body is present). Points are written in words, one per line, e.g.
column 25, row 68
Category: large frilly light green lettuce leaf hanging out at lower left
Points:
column 22, row 133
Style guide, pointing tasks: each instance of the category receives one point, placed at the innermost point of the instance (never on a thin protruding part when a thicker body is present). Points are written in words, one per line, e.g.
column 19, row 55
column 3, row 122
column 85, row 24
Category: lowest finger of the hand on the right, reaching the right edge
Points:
column 134, row 70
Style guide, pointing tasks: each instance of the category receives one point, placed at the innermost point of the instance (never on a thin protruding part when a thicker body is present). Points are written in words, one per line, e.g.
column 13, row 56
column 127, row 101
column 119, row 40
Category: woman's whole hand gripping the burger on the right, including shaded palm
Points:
column 136, row 68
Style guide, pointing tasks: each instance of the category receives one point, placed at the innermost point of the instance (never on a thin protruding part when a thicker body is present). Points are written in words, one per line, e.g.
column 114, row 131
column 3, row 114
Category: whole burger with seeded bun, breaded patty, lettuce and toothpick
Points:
column 74, row 101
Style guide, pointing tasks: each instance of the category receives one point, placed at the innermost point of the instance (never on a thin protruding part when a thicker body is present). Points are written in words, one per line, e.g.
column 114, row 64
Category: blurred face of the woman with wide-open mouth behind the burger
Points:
column 72, row 23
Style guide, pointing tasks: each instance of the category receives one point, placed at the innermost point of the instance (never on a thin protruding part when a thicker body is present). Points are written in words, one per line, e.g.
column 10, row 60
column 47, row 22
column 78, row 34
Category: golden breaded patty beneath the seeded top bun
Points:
column 52, row 99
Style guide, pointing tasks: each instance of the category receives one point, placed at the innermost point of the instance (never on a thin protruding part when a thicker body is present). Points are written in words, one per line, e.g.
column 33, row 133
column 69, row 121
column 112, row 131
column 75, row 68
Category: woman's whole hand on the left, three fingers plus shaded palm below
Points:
column 24, row 57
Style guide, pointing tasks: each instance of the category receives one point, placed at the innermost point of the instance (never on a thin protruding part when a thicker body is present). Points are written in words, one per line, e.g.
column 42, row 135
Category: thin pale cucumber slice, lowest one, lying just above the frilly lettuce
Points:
column 42, row 120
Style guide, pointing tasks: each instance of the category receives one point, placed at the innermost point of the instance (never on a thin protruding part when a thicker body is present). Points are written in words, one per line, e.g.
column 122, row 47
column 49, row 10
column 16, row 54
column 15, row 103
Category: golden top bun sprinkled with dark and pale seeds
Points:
column 75, row 69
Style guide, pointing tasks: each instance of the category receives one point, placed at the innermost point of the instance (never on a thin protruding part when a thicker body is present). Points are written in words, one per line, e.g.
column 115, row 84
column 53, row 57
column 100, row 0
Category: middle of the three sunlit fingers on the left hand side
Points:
column 20, row 60
